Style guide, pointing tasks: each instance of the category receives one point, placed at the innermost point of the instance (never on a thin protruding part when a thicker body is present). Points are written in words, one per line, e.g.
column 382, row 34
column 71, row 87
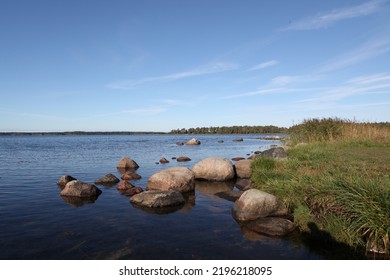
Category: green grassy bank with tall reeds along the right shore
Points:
column 339, row 180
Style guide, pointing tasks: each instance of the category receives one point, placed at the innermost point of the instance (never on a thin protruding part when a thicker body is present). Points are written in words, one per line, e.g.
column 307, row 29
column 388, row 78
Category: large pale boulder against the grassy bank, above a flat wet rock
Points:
column 254, row 204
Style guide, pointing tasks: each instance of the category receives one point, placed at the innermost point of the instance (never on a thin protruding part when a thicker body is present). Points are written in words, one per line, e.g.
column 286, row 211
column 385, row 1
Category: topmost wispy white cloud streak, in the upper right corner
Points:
column 324, row 20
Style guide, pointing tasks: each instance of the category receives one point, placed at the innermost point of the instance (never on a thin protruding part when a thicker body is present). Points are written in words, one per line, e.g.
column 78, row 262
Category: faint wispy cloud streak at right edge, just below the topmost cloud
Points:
column 364, row 52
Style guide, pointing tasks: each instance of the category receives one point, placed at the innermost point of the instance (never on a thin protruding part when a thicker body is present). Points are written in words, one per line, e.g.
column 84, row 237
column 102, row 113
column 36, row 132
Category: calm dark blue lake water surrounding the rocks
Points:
column 37, row 223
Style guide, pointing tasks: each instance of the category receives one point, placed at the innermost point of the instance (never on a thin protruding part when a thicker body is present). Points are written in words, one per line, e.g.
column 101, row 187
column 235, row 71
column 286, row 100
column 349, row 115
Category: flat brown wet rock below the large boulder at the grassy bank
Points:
column 272, row 226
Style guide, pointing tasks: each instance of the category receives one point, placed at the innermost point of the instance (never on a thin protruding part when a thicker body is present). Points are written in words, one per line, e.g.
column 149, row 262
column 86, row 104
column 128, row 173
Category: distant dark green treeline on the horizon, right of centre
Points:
column 231, row 130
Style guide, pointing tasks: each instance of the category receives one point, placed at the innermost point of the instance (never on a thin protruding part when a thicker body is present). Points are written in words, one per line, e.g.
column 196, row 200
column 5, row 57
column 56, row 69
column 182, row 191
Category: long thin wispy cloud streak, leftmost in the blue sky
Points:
column 200, row 71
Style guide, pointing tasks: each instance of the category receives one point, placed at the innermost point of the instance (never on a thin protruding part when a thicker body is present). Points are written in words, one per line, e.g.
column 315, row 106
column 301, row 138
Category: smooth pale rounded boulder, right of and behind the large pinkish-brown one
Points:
column 214, row 169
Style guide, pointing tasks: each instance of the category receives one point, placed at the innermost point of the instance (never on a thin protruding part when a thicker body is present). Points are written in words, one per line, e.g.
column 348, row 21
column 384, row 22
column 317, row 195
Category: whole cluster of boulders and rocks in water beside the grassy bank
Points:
column 165, row 190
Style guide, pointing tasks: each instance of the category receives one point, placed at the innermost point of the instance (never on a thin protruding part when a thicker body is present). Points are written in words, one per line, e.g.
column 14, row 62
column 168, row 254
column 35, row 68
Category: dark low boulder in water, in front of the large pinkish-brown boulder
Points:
column 158, row 199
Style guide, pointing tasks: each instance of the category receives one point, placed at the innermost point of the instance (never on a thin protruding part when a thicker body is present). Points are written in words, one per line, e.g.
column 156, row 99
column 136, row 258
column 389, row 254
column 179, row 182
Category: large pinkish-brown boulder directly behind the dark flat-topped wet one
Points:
column 176, row 178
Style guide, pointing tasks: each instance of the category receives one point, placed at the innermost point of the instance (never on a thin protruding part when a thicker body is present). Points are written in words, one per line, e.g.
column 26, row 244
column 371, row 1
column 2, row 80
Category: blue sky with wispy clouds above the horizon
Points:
column 119, row 65
